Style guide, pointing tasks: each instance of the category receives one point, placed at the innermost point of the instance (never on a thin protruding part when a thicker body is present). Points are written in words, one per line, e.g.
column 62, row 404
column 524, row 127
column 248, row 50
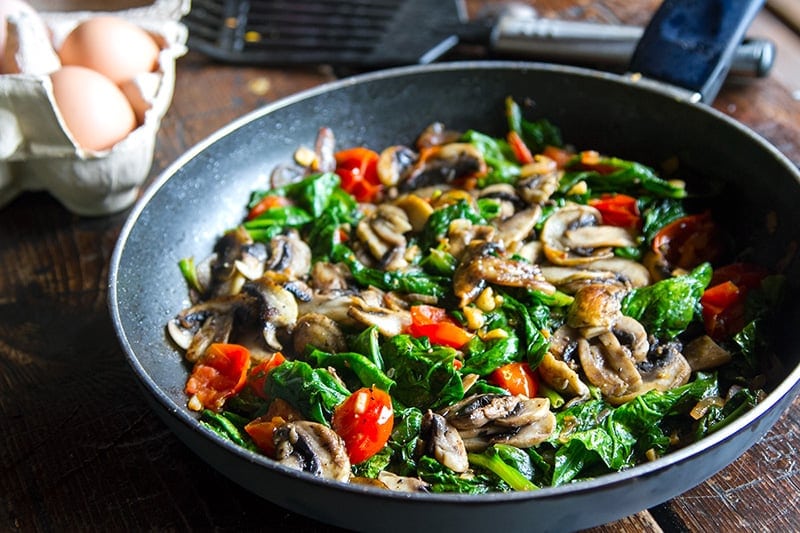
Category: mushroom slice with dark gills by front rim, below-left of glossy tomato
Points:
column 312, row 447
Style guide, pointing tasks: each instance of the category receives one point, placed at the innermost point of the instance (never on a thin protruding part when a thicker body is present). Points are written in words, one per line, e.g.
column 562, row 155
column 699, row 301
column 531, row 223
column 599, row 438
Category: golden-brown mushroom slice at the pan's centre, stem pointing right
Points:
column 479, row 267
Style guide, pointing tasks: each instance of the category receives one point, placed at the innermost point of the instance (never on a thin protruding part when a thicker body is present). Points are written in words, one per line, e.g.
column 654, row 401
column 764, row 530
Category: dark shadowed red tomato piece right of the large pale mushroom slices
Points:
column 689, row 241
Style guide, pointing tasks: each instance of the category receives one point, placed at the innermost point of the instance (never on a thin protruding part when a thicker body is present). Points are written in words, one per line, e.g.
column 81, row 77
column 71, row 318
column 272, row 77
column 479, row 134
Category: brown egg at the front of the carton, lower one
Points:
column 94, row 109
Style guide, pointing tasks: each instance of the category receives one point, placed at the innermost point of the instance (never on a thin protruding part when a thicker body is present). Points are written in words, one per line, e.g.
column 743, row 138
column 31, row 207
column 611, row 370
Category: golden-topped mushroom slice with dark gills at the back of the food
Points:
column 443, row 164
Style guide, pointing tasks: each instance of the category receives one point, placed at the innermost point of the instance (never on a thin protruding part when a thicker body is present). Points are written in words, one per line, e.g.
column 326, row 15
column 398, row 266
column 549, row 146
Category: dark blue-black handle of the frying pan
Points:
column 691, row 43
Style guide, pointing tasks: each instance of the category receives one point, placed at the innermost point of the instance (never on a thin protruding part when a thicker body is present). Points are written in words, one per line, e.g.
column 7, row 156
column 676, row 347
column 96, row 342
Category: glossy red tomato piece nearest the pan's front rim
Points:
column 364, row 421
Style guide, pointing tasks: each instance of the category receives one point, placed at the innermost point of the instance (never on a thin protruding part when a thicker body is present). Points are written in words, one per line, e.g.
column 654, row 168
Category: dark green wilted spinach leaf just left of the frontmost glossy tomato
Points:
column 315, row 392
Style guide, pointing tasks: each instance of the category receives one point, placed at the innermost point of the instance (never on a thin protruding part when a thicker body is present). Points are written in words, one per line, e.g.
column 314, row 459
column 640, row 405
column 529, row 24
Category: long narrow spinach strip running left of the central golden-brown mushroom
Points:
column 413, row 281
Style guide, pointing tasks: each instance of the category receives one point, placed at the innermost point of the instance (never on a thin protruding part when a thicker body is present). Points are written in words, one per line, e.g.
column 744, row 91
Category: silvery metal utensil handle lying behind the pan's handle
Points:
column 608, row 44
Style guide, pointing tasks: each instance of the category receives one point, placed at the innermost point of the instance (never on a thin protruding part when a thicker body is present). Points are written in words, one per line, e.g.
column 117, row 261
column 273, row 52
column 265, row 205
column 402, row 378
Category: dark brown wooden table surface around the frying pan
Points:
column 80, row 450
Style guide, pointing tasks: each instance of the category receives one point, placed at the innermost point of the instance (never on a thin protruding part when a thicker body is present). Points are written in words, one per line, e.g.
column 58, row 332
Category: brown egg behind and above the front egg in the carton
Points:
column 112, row 46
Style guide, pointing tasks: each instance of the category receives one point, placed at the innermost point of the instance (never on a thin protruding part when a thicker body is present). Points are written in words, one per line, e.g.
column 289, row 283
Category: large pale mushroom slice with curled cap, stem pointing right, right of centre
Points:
column 573, row 236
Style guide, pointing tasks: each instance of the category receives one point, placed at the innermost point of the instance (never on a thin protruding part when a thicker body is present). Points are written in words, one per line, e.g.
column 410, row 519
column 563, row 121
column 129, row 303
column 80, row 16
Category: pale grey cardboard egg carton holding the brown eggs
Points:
column 37, row 151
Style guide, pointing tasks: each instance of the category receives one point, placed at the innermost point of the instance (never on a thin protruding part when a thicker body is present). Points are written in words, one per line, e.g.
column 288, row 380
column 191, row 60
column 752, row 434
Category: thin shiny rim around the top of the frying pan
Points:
column 179, row 413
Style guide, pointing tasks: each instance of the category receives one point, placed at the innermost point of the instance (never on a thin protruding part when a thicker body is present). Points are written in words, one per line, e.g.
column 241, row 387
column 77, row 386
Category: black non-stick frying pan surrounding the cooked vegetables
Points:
column 203, row 193
